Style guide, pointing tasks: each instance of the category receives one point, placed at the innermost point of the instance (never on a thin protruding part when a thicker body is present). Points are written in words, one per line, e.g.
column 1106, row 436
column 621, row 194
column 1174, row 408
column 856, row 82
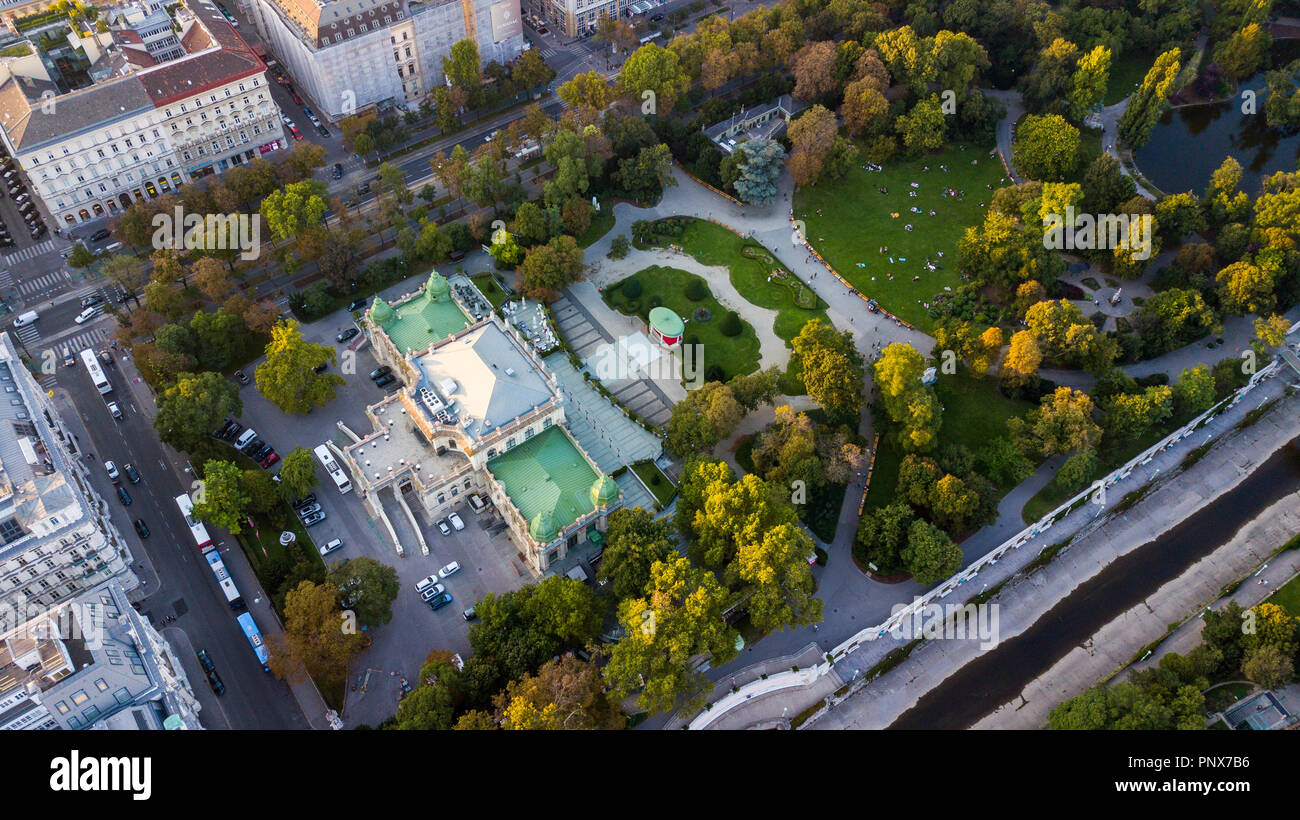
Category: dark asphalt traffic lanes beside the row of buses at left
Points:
column 254, row 698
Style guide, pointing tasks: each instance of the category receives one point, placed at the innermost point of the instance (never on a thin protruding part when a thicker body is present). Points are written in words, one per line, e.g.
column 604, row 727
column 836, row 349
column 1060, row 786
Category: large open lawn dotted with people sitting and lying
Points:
column 855, row 224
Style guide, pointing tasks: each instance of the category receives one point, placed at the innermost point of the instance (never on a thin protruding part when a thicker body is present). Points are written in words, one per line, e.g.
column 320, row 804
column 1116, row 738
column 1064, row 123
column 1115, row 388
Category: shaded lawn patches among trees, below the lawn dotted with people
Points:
column 974, row 414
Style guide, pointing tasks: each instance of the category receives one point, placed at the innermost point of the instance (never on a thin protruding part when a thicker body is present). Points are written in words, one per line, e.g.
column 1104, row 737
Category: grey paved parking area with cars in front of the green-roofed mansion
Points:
column 488, row 563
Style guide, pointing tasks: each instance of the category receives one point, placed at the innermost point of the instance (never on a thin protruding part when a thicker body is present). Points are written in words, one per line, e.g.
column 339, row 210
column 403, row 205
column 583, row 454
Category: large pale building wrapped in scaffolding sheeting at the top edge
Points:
column 350, row 54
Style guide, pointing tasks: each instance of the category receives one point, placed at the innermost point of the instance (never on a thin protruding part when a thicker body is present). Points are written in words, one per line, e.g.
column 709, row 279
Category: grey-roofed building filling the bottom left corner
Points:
column 93, row 663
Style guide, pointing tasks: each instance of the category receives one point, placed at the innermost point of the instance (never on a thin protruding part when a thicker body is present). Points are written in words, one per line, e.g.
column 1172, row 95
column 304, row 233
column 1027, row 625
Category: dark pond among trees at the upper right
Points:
column 1191, row 142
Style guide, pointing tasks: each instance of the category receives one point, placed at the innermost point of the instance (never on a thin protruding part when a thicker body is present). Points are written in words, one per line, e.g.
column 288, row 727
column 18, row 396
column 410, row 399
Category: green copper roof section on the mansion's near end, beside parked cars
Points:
column 548, row 475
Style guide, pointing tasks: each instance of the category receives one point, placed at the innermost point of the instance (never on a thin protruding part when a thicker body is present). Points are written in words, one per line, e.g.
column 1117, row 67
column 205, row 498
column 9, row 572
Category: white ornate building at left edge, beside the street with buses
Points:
column 57, row 537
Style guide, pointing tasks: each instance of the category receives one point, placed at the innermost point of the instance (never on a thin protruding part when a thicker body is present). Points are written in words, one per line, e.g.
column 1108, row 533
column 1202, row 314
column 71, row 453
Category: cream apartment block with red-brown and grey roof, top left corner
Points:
column 150, row 122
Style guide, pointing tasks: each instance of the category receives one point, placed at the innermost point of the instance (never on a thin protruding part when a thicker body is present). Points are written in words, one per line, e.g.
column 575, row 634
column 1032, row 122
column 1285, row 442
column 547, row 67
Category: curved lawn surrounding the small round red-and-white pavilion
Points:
column 734, row 355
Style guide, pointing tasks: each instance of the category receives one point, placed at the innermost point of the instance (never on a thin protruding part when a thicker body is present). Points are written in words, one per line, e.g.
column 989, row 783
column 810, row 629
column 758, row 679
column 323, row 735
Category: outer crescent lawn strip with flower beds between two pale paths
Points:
column 714, row 245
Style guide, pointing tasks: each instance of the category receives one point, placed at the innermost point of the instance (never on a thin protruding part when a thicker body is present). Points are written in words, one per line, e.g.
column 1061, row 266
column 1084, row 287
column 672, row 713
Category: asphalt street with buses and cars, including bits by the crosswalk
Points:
column 176, row 578
